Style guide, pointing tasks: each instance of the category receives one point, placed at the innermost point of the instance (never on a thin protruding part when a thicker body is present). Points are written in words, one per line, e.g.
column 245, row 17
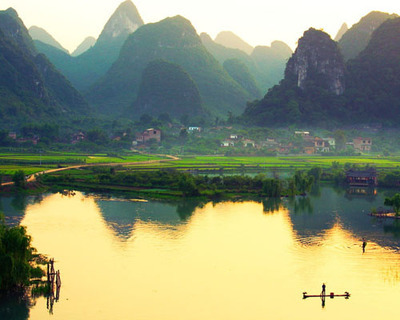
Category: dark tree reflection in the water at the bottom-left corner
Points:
column 14, row 307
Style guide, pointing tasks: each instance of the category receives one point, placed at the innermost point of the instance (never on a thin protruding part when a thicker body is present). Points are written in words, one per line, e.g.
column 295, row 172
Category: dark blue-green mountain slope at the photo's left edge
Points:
column 31, row 88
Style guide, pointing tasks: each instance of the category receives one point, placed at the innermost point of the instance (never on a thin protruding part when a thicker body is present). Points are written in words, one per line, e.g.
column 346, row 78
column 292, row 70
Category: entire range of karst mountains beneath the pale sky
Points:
column 166, row 67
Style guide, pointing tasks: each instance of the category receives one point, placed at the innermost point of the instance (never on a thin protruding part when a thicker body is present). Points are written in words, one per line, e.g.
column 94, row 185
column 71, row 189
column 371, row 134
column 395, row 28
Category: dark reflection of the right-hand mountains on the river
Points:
column 331, row 206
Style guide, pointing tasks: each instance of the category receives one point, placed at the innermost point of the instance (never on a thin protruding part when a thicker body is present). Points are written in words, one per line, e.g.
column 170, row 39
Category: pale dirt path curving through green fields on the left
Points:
column 32, row 177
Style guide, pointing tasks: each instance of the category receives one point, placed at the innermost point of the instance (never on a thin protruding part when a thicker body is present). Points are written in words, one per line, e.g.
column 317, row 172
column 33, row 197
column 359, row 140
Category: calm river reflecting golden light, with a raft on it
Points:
column 129, row 259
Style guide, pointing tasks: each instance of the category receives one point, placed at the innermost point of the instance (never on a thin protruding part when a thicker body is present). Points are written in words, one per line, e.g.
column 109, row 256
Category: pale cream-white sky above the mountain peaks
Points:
column 256, row 21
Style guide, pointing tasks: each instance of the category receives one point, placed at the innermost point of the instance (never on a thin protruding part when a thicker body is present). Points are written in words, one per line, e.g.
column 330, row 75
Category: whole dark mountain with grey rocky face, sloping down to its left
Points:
column 311, row 89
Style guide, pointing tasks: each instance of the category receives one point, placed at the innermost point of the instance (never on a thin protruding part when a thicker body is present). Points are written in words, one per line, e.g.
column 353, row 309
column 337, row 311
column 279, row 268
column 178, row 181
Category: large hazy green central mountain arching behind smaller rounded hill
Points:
column 176, row 41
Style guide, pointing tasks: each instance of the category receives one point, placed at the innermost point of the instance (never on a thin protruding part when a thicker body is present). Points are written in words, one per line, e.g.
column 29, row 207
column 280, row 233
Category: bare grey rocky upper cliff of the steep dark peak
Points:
column 317, row 60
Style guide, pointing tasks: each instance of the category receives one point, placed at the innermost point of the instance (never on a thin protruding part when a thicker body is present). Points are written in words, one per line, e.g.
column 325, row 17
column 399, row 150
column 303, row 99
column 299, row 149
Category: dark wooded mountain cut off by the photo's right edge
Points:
column 374, row 77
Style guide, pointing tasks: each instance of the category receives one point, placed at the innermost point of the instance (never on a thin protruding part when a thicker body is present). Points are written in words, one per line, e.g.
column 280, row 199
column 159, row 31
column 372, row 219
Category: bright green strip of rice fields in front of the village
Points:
column 32, row 163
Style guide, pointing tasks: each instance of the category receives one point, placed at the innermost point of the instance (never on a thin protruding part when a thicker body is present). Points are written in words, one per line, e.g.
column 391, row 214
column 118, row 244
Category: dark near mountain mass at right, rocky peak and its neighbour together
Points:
column 320, row 89
